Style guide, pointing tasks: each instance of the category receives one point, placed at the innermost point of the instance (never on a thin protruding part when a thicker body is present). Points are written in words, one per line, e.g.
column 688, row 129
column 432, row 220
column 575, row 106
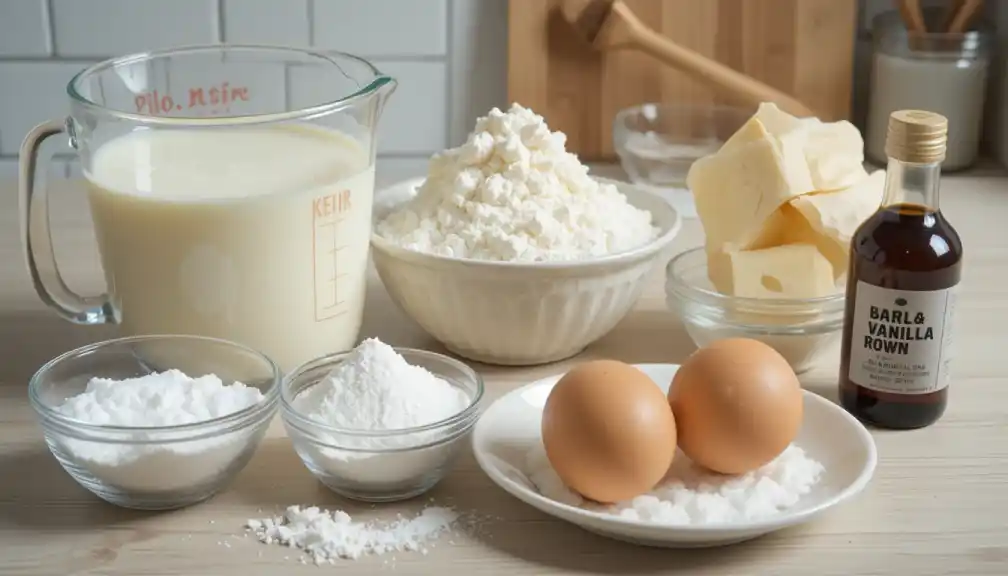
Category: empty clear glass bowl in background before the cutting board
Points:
column 658, row 144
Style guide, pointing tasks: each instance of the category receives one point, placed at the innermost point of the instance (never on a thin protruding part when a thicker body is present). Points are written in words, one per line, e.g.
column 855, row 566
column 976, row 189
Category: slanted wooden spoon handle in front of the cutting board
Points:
column 730, row 82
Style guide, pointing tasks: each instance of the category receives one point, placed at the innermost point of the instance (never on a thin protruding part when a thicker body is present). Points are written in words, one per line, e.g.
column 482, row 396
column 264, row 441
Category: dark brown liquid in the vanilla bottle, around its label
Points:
column 906, row 248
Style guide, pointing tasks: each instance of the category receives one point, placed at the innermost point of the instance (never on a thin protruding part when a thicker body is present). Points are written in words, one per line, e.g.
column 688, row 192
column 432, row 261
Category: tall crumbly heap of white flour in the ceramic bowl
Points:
column 513, row 193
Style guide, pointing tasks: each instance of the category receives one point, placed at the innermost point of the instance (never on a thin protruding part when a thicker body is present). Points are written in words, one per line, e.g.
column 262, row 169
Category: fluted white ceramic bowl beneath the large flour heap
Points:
column 520, row 313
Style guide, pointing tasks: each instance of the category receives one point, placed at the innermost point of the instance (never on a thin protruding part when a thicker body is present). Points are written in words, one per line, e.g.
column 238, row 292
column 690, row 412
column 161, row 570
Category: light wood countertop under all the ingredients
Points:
column 938, row 506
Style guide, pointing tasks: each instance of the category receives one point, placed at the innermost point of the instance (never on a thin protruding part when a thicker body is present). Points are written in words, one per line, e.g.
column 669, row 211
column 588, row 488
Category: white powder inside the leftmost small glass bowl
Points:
column 157, row 400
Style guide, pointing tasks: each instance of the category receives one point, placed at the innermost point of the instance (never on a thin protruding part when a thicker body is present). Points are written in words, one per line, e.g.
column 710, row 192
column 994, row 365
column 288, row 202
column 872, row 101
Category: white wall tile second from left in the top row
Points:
column 100, row 29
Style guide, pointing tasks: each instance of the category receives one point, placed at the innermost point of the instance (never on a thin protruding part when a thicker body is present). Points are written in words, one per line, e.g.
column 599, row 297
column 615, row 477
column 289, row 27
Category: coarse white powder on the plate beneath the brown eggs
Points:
column 693, row 496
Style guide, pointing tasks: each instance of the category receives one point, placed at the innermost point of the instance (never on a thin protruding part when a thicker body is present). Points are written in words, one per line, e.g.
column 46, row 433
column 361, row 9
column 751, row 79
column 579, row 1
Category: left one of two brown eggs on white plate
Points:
column 608, row 431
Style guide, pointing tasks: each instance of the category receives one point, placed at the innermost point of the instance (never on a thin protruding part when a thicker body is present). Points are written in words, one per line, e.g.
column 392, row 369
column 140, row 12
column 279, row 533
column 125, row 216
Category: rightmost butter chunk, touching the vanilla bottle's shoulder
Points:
column 836, row 215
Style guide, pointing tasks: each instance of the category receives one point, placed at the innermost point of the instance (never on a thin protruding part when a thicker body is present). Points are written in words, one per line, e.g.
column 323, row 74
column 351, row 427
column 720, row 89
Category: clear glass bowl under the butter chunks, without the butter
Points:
column 800, row 329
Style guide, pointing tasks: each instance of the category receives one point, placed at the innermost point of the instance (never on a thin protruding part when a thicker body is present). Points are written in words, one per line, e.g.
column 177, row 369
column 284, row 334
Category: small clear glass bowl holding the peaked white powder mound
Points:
column 387, row 466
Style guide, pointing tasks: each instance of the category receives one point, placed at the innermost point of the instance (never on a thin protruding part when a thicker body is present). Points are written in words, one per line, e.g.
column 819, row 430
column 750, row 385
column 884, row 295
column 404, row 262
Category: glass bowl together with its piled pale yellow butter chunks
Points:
column 780, row 203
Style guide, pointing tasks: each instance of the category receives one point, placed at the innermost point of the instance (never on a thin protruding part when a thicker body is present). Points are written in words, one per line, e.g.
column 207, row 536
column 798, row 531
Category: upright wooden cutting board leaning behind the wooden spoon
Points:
column 805, row 48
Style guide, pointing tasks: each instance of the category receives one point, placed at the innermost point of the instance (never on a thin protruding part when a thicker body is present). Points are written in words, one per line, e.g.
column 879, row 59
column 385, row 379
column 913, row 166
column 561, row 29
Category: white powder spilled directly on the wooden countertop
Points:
column 330, row 536
